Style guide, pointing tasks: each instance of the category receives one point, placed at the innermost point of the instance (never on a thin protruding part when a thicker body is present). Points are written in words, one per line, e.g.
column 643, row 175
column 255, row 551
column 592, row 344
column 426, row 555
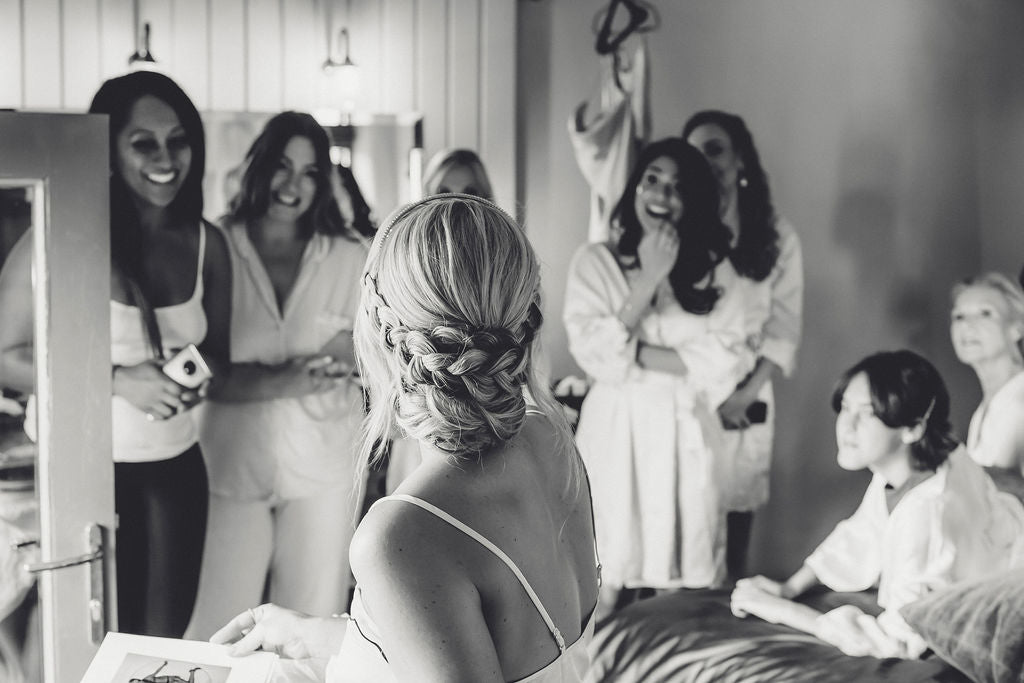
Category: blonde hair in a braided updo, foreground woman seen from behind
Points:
column 447, row 331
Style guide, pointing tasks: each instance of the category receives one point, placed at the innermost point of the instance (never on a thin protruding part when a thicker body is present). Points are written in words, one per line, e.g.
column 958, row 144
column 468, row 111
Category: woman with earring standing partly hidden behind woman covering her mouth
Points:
column 765, row 251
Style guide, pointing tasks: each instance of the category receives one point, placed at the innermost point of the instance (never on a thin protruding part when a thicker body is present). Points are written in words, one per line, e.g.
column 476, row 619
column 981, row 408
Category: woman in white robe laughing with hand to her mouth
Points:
column 655, row 319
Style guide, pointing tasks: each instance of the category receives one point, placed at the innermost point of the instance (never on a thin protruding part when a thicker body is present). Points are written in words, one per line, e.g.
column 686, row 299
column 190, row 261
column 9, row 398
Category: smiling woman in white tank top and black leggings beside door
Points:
column 170, row 288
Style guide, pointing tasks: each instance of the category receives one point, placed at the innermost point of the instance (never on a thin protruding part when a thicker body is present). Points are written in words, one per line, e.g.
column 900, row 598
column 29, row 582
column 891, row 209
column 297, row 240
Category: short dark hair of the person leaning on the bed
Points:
column 907, row 390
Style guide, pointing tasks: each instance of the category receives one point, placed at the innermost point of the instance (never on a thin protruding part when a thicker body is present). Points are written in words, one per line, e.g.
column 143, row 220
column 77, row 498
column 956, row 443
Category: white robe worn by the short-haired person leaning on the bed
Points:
column 954, row 527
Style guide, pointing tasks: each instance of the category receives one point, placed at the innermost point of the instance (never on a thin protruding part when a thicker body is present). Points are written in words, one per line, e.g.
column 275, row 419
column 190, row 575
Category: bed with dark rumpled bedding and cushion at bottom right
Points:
column 975, row 631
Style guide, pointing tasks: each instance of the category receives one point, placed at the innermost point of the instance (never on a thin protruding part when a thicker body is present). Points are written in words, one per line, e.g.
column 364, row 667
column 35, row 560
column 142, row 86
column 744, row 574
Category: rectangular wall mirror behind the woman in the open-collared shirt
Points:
column 383, row 151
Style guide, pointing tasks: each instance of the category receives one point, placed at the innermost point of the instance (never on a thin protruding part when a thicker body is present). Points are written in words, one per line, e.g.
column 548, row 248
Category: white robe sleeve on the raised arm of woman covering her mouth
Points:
column 594, row 293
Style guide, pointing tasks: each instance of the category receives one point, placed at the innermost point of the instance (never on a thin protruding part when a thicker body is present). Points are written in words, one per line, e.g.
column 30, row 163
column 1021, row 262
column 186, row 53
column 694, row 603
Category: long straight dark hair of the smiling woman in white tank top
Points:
column 116, row 99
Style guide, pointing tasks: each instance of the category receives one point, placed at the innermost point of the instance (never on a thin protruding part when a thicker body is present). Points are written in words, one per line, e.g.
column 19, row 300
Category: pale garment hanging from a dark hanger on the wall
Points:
column 606, row 143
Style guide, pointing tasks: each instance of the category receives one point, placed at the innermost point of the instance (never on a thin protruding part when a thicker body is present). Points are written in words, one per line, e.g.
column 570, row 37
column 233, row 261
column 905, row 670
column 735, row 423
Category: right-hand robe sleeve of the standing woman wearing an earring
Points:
column 783, row 329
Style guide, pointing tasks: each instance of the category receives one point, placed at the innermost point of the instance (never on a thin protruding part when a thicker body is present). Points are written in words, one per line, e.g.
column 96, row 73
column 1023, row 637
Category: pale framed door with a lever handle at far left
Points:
column 57, row 493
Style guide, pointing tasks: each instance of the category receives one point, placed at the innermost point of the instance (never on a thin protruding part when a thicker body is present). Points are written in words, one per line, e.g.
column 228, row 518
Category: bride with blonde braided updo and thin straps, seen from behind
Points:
column 483, row 566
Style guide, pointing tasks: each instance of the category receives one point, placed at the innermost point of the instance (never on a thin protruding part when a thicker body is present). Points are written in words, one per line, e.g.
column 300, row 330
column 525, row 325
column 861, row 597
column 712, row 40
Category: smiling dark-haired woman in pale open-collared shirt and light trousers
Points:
column 280, row 433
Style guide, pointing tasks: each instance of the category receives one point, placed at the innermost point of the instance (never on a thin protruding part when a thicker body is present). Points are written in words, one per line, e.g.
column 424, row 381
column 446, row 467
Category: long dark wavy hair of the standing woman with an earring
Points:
column 757, row 248
